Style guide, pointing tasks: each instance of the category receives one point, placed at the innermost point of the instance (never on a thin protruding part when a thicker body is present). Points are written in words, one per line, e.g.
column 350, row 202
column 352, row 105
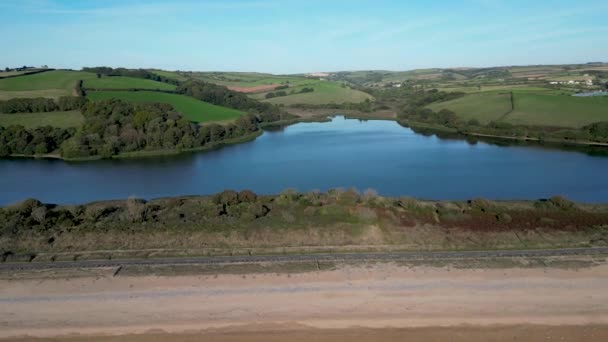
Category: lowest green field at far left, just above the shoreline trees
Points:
column 33, row 120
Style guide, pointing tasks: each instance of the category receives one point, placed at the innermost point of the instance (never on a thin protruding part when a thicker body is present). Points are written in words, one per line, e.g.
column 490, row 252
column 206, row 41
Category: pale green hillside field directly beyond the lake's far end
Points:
column 325, row 92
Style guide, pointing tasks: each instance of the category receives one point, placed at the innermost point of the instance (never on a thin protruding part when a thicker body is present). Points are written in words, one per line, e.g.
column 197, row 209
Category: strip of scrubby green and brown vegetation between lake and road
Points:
column 230, row 220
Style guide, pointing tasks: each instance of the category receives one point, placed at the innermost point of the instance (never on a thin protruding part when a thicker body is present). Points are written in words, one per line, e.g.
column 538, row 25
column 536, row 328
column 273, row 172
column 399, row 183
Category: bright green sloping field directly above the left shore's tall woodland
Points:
column 192, row 109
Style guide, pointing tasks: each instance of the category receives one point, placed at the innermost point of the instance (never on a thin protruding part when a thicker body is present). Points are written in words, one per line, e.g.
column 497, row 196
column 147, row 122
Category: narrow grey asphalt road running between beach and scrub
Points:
column 218, row 260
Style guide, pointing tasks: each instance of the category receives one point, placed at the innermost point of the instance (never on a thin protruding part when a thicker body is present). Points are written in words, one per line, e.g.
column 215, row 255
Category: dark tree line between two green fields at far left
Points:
column 41, row 104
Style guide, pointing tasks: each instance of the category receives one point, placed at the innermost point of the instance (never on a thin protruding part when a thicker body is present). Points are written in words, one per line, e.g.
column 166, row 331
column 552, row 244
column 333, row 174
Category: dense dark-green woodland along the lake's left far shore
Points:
column 113, row 126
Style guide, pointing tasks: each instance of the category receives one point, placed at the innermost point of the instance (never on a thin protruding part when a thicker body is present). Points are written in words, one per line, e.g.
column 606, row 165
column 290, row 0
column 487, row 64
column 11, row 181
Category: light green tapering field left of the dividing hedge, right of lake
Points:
column 484, row 107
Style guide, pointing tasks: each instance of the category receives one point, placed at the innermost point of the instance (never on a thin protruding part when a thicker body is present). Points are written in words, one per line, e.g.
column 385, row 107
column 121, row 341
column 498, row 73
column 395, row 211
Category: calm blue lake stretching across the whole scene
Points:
column 343, row 153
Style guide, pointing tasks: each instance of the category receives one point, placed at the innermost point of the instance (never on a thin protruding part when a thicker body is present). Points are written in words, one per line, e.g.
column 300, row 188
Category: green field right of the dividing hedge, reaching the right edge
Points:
column 558, row 110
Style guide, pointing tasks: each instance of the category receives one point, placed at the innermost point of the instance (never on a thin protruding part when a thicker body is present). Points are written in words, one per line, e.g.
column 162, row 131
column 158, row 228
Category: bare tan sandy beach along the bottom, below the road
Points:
column 338, row 305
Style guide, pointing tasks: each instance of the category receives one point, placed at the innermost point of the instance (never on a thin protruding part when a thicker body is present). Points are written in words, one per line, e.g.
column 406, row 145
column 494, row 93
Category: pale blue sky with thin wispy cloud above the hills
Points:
column 285, row 36
